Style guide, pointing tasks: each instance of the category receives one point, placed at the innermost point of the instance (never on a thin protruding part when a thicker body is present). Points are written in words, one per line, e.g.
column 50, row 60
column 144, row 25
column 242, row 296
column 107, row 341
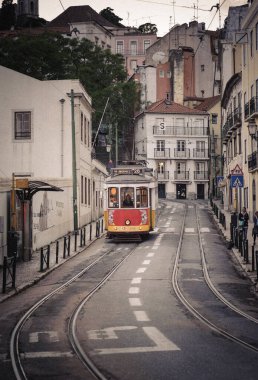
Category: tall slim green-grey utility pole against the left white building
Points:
column 74, row 174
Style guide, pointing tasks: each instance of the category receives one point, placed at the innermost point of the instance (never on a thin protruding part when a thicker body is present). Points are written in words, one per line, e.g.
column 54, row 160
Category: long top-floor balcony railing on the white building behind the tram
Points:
column 180, row 131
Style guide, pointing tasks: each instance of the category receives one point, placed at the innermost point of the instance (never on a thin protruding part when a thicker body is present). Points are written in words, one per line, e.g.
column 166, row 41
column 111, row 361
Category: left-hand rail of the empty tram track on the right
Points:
column 190, row 307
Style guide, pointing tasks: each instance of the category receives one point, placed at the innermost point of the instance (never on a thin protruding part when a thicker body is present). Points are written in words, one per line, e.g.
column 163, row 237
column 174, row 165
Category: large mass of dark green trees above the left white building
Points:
column 51, row 56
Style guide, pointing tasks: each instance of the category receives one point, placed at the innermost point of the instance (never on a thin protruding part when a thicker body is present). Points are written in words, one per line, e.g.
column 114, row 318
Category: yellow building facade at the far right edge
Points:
column 249, row 38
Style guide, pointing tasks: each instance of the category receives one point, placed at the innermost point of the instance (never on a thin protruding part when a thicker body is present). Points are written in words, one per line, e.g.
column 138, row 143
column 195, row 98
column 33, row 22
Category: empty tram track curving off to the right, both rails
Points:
column 193, row 310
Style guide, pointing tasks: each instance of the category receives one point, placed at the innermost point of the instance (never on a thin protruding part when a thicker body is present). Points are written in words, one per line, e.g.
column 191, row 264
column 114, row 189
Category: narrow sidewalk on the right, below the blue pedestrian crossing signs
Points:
column 246, row 267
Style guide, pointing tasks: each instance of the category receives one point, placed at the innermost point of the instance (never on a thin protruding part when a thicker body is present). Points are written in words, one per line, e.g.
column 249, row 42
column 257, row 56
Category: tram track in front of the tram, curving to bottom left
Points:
column 16, row 356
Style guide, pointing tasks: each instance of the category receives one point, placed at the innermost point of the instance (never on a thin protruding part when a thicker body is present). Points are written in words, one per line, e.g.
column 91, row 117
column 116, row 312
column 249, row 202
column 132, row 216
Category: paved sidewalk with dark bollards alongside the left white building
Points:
column 29, row 273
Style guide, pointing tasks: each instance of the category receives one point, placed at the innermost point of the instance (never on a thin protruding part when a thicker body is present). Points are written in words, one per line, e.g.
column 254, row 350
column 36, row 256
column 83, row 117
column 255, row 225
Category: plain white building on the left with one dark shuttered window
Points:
column 38, row 122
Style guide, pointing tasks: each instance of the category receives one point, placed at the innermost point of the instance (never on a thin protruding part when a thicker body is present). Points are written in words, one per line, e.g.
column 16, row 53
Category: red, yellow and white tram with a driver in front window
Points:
column 130, row 201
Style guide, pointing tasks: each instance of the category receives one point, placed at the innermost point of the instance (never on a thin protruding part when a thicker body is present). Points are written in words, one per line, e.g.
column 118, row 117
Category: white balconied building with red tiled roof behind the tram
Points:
column 174, row 140
